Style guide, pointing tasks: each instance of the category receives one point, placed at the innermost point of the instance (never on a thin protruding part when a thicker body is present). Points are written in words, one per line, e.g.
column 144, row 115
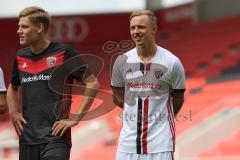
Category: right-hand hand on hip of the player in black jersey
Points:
column 61, row 126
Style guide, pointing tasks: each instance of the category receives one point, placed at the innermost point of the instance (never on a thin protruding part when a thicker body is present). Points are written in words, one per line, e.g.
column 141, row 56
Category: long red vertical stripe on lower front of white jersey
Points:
column 145, row 126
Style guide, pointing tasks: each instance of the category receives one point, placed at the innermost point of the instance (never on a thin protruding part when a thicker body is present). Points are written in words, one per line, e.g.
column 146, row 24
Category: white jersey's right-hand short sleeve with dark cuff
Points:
column 178, row 76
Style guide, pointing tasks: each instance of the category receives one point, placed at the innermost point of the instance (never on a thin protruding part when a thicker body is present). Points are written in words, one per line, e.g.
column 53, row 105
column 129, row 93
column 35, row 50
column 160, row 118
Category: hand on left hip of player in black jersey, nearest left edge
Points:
column 17, row 120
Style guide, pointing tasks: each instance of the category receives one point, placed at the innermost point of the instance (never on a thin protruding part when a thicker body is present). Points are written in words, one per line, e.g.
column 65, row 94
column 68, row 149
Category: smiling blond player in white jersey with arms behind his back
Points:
column 148, row 82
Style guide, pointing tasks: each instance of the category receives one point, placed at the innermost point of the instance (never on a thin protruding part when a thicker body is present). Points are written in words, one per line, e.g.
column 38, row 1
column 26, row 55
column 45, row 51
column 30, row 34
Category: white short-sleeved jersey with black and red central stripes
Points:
column 148, row 118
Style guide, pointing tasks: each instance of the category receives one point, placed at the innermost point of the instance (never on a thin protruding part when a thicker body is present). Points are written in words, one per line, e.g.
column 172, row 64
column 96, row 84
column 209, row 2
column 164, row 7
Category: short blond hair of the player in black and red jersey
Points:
column 36, row 15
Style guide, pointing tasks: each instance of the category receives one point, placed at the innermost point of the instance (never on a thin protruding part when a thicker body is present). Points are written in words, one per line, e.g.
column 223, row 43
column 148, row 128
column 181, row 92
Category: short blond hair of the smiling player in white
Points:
column 150, row 14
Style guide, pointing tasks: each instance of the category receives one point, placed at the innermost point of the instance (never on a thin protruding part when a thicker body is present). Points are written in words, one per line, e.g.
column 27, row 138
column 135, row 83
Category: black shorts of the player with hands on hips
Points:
column 54, row 150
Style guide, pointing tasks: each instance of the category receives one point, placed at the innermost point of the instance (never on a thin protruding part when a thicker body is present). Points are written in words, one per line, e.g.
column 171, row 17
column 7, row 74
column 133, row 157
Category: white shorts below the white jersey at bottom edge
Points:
column 151, row 156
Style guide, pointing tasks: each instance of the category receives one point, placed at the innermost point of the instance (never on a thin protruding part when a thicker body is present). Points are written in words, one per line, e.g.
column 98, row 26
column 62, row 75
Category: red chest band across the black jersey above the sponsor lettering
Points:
column 34, row 67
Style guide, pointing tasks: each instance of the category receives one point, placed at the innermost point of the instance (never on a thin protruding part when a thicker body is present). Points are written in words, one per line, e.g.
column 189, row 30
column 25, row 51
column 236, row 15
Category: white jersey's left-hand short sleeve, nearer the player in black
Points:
column 117, row 77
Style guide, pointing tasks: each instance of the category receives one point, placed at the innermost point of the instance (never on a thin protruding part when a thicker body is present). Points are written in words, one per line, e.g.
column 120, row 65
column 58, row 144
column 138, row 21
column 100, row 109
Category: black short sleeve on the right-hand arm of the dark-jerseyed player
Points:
column 82, row 69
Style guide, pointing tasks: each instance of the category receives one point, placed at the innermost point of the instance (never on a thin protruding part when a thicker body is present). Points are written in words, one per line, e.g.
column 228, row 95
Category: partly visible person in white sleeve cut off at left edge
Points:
column 3, row 92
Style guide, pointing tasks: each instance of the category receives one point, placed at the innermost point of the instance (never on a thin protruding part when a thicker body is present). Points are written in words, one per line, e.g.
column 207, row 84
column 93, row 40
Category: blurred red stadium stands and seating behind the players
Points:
column 204, row 34
